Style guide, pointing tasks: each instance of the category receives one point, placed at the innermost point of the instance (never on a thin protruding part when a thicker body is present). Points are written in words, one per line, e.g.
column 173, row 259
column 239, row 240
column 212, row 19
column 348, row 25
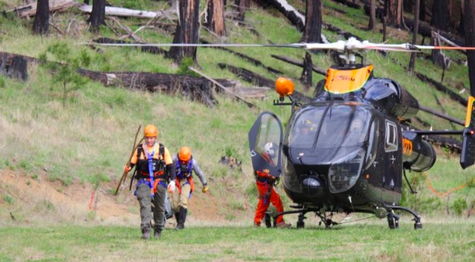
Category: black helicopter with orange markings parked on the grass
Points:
column 347, row 149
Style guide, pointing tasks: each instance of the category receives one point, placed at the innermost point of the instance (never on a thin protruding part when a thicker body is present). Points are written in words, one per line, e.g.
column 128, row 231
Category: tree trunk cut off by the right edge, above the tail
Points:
column 469, row 7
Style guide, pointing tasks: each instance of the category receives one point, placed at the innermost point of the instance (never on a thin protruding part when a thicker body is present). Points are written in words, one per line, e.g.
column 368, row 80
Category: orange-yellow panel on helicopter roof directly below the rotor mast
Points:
column 339, row 81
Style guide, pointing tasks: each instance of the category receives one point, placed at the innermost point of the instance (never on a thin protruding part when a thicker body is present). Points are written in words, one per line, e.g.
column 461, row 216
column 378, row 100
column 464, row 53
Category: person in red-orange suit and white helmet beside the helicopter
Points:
column 265, row 186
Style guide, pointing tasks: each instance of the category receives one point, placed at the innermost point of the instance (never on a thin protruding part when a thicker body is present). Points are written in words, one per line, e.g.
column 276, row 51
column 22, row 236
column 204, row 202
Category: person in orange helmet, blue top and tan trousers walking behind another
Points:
column 184, row 167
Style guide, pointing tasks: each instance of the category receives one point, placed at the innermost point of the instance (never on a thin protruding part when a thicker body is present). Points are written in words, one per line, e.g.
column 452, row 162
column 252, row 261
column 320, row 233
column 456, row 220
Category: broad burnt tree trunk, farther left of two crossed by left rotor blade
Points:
column 187, row 30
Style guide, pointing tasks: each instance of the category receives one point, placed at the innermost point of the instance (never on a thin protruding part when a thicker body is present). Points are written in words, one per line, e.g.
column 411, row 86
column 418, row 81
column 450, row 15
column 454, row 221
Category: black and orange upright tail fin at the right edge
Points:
column 467, row 157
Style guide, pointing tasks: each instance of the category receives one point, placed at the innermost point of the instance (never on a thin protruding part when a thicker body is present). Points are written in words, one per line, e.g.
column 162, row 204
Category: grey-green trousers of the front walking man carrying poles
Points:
column 149, row 206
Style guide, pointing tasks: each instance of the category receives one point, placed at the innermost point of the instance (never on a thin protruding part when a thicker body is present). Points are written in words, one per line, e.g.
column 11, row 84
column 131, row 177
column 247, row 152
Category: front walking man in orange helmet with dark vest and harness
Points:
column 154, row 170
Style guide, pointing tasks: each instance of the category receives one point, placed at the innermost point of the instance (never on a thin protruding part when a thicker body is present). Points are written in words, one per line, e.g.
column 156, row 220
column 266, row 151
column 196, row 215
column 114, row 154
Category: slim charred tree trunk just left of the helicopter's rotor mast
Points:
column 312, row 34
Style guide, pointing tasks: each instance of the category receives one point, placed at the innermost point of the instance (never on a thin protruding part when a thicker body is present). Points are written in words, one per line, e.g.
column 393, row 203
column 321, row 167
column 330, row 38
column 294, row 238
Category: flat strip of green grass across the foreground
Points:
column 357, row 242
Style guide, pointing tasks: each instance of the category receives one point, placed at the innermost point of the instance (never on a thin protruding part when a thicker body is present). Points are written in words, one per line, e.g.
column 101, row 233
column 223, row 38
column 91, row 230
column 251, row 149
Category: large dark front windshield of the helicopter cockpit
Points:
column 329, row 133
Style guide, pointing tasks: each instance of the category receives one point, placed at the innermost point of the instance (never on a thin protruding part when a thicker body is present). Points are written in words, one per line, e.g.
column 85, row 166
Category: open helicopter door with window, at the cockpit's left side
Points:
column 265, row 143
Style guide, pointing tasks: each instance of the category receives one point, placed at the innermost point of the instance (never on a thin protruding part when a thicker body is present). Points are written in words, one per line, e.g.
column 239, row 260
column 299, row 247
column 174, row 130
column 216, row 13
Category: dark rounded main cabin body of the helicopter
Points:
column 342, row 156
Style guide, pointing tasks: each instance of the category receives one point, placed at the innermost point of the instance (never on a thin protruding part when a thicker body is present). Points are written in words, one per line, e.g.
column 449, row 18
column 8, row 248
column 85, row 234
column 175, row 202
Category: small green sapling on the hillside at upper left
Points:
column 65, row 69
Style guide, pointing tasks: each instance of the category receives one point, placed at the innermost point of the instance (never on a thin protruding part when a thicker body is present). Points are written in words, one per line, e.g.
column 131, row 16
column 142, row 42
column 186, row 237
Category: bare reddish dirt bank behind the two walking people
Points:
column 26, row 199
